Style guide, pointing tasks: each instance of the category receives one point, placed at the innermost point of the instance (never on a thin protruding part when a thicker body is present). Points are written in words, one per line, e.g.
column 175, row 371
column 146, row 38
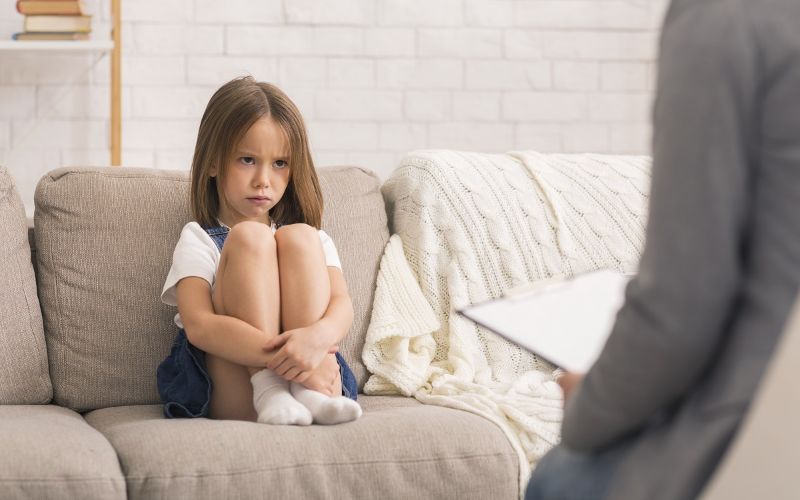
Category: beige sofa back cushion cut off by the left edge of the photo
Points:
column 24, row 378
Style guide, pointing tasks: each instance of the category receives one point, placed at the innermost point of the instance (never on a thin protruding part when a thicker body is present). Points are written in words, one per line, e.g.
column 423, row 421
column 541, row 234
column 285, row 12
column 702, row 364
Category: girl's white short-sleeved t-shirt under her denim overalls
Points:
column 196, row 254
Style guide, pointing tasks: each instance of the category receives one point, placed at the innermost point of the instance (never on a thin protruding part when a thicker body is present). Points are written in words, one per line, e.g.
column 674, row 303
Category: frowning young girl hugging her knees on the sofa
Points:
column 262, row 301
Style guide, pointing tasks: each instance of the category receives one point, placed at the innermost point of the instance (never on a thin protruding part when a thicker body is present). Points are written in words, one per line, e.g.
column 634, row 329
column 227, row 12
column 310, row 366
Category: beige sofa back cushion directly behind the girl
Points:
column 104, row 241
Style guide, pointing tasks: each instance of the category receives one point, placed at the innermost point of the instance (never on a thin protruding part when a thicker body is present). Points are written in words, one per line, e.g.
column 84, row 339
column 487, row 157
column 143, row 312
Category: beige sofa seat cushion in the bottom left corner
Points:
column 51, row 452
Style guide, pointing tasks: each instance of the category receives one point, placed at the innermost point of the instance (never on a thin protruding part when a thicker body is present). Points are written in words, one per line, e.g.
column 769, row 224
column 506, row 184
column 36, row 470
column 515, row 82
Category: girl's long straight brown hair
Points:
column 229, row 114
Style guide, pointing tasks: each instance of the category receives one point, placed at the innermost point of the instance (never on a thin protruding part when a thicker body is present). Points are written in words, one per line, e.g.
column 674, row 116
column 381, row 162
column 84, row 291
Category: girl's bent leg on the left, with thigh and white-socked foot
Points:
column 247, row 287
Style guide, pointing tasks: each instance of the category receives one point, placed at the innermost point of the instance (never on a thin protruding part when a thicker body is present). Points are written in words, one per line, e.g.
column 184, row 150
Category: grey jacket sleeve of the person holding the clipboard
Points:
column 677, row 307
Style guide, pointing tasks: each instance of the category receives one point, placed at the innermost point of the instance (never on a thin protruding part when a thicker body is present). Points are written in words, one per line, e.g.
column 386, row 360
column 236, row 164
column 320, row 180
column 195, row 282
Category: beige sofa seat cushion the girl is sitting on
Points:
column 396, row 449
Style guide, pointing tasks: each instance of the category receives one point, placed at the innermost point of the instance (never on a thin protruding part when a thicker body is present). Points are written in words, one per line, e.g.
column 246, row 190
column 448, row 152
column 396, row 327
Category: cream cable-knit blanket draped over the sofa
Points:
column 469, row 226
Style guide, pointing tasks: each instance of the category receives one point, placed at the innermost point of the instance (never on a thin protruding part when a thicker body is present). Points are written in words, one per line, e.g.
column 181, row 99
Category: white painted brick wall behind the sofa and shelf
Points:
column 373, row 78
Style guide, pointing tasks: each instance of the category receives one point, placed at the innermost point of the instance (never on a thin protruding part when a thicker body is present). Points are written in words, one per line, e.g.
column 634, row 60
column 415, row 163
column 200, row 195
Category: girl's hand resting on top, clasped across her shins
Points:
column 300, row 351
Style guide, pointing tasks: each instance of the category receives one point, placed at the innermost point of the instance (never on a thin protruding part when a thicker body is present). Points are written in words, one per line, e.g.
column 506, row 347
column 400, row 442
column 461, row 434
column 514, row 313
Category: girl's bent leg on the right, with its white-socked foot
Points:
column 305, row 295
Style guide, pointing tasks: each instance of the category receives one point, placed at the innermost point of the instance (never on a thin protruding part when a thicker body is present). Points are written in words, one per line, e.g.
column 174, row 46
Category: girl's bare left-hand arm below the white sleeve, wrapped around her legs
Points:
column 225, row 336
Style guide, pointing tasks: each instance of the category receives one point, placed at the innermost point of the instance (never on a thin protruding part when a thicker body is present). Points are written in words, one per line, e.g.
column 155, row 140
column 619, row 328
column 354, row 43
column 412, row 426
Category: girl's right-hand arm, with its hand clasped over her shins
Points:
column 298, row 352
